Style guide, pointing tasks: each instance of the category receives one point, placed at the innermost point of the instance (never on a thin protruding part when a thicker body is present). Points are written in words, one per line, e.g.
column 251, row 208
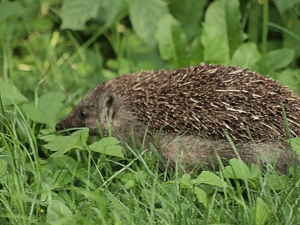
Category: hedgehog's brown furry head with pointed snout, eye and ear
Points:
column 97, row 105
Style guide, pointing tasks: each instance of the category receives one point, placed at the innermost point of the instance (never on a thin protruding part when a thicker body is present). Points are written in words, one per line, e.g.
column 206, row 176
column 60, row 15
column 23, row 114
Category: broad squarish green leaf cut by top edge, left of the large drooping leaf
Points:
column 75, row 13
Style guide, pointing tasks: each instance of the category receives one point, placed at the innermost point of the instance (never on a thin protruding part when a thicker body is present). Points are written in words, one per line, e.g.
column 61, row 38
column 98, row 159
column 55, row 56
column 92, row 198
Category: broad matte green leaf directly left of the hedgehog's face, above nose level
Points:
column 48, row 106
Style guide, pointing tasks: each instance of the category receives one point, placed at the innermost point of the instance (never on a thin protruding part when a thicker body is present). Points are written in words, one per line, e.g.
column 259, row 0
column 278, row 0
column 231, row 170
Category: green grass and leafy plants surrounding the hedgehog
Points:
column 53, row 51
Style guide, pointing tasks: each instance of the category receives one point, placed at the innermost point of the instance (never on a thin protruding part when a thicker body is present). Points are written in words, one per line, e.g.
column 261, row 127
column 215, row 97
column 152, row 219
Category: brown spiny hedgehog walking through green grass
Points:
column 193, row 112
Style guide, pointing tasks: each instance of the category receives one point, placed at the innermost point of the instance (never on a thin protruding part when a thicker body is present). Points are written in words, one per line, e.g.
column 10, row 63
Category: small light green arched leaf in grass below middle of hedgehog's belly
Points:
column 210, row 178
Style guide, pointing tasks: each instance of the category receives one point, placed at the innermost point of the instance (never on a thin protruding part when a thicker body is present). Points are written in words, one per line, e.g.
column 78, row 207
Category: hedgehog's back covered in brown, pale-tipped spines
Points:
column 209, row 99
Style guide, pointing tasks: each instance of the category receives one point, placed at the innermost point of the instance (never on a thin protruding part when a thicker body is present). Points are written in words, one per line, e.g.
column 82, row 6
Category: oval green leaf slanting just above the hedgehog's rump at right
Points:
column 274, row 60
